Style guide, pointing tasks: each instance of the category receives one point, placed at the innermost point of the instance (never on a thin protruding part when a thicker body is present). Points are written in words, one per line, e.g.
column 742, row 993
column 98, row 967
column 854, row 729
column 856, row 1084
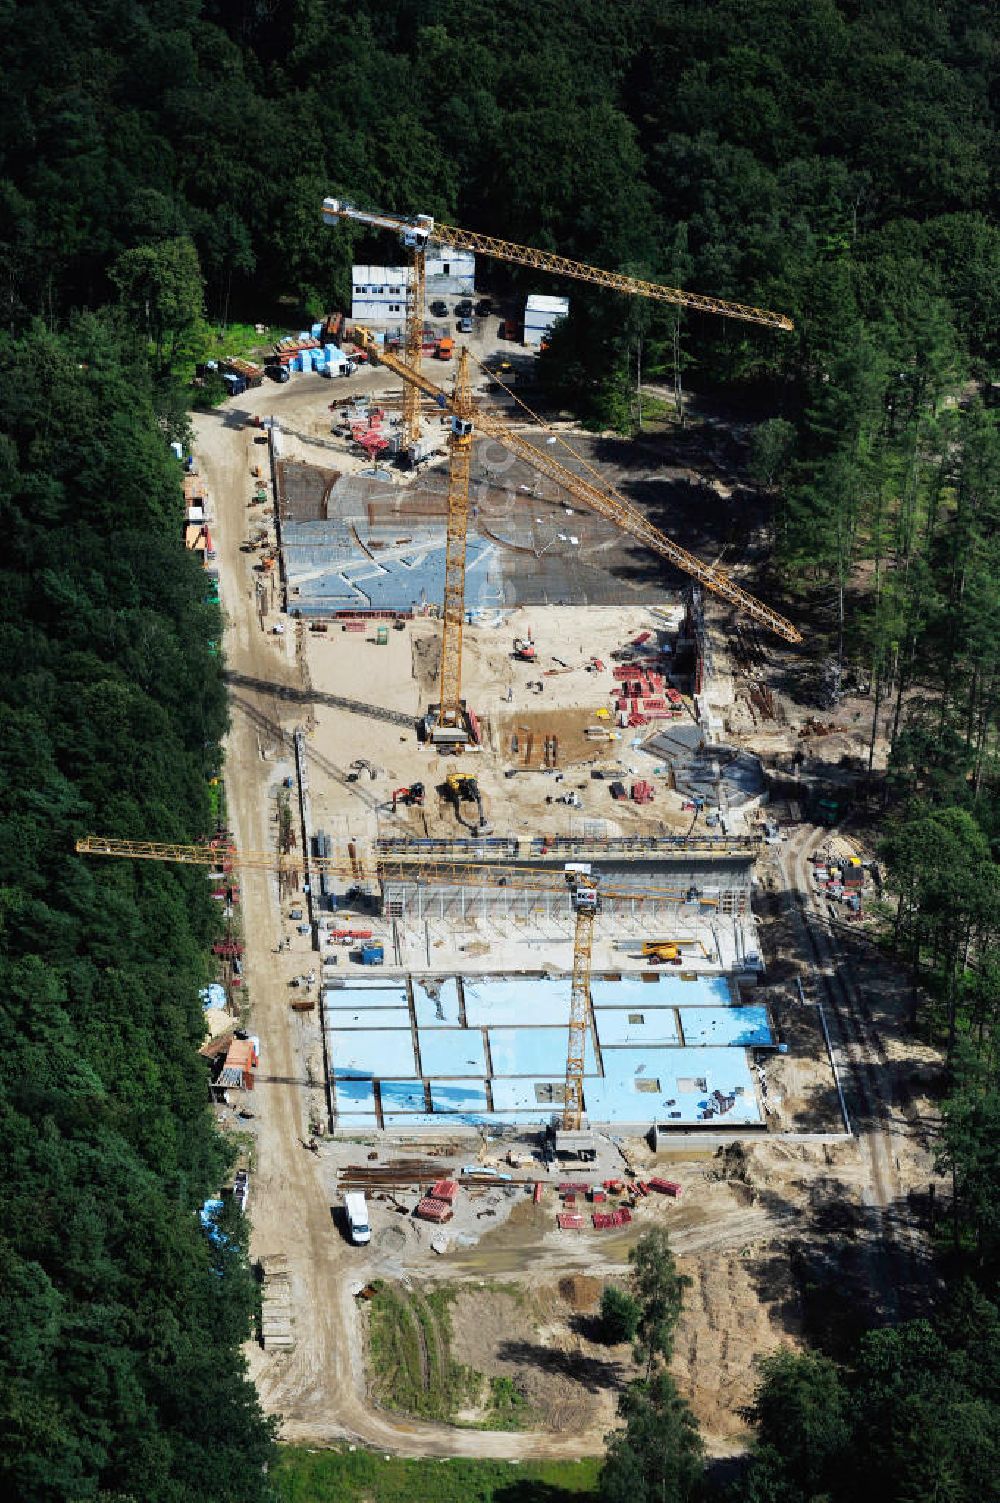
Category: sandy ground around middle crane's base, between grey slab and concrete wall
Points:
column 402, row 676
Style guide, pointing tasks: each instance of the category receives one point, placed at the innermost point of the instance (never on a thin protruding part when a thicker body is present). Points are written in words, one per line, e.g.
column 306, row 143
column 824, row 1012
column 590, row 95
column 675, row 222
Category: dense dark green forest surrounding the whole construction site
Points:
column 162, row 166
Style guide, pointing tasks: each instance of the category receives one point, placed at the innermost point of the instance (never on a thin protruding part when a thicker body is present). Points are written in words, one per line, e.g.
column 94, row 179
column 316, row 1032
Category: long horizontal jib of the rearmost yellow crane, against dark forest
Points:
column 423, row 228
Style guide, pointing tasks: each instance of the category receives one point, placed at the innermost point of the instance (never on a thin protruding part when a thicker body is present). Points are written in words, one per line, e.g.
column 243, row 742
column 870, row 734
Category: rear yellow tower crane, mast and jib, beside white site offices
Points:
column 420, row 229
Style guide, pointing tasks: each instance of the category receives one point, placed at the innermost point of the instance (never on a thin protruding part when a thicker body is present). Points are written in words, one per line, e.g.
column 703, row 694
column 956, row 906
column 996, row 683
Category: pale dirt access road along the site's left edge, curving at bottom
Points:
column 320, row 1390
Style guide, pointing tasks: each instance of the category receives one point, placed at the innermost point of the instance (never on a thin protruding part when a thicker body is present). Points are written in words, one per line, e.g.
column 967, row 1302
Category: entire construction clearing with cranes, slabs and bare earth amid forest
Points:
column 541, row 888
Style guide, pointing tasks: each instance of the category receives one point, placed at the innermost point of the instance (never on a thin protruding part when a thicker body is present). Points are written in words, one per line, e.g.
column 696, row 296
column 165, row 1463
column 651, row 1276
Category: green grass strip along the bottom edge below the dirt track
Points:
column 362, row 1477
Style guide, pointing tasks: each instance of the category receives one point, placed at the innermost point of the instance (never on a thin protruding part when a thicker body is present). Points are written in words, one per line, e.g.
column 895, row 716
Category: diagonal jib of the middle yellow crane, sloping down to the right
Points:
column 608, row 504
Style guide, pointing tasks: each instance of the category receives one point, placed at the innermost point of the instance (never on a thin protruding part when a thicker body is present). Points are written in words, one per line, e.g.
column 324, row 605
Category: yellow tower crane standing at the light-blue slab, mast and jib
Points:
column 578, row 879
